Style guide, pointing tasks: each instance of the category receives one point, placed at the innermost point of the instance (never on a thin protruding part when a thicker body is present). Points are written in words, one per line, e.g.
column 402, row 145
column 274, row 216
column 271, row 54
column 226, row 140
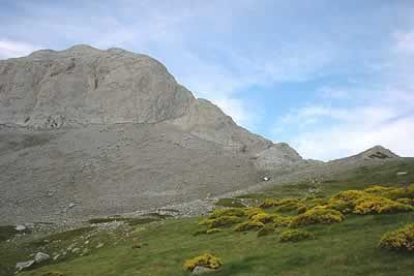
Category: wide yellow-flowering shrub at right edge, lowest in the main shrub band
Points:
column 379, row 205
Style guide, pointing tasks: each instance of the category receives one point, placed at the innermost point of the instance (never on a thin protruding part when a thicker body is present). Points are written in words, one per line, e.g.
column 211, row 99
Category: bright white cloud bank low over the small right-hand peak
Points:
column 329, row 132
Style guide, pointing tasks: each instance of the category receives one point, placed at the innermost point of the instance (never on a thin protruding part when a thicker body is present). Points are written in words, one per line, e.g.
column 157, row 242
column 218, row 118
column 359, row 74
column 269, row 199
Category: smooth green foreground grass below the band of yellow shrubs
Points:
column 348, row 248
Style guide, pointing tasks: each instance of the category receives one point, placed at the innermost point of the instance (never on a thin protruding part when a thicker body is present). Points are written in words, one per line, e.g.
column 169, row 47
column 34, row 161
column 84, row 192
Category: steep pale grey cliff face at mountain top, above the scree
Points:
column 83, row 85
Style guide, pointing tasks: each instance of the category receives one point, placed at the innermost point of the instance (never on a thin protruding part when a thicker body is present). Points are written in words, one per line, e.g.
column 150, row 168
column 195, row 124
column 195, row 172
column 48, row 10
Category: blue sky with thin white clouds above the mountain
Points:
column 331, row 78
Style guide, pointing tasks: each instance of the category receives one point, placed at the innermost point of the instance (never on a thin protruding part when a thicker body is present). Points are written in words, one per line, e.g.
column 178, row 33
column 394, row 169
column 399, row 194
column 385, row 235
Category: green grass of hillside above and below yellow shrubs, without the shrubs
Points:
column 159, row 248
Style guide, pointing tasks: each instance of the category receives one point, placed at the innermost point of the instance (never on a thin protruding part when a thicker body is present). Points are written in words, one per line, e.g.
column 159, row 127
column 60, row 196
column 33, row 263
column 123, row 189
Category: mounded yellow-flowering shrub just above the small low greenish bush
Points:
column 317, row 215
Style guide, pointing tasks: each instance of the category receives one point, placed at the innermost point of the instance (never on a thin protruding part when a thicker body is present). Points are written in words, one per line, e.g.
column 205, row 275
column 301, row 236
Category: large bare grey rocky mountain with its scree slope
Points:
column 96, row 132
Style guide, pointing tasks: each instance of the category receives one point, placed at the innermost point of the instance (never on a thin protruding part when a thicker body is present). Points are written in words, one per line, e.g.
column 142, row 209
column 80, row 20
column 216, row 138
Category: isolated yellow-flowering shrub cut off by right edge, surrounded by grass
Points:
column 401, row 239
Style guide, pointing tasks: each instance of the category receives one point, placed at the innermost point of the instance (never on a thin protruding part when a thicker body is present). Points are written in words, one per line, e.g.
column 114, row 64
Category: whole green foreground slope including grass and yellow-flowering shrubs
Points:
column 333, row 231
